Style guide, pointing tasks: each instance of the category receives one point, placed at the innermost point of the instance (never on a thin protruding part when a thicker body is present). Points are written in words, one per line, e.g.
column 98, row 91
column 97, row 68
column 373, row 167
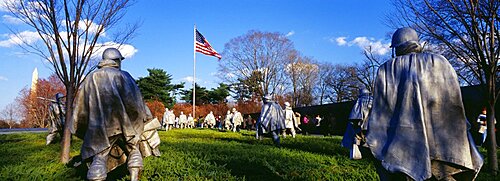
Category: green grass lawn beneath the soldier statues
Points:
column 194, row 154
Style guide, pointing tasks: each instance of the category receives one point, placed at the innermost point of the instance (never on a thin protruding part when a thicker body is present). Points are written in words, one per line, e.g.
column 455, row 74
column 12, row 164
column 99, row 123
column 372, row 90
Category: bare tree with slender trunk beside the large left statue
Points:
column 69, row 32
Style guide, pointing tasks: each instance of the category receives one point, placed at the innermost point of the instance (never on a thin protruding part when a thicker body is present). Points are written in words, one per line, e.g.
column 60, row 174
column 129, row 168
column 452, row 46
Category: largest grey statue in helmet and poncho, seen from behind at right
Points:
column 417, row 125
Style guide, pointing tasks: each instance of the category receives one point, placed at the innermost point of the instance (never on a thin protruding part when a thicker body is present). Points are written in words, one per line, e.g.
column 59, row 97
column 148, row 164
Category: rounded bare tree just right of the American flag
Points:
column 257, row 53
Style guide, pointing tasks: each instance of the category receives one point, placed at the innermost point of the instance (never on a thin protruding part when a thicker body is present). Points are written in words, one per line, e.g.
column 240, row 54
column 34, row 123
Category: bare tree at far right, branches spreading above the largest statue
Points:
column 468, row 32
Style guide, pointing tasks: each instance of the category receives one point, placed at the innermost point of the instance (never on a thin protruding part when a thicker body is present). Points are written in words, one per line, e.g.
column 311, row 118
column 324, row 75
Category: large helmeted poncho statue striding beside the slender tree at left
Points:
column 109, row 111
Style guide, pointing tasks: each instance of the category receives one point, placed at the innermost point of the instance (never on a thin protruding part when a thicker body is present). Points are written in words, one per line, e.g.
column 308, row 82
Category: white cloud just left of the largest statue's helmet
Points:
column 378, row 47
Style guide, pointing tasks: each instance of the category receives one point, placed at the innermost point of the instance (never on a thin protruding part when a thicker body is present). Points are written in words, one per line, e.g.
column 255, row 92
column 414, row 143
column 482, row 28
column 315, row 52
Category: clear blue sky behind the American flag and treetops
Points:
column 327, row 30
